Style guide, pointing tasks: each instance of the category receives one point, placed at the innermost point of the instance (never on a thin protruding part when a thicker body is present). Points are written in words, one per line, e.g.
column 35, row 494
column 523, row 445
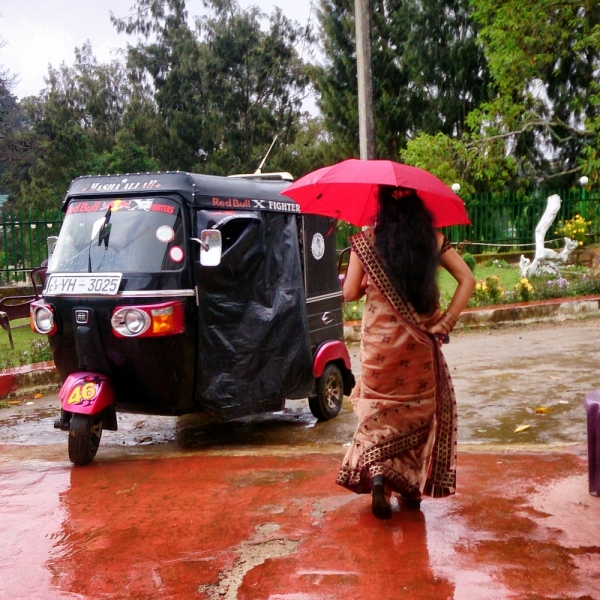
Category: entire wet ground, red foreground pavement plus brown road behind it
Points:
column 176, row 508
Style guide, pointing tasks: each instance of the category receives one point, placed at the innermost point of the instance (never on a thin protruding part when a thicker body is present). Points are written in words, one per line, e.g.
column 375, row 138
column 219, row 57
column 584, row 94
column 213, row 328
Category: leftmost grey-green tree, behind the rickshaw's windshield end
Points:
column 77, row 127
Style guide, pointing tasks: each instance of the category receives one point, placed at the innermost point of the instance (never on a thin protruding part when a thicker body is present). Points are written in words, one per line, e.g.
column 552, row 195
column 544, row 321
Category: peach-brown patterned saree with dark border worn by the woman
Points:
column 404, row 399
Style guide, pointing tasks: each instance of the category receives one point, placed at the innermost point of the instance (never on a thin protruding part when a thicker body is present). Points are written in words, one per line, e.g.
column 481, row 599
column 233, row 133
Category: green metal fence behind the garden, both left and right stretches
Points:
column 499, row 222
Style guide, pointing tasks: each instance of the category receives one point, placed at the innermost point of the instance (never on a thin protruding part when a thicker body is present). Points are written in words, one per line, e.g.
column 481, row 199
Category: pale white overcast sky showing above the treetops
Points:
column 42, row 32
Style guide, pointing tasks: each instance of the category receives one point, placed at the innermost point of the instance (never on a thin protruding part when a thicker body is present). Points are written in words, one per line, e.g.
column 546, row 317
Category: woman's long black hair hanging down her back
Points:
column 405, row 239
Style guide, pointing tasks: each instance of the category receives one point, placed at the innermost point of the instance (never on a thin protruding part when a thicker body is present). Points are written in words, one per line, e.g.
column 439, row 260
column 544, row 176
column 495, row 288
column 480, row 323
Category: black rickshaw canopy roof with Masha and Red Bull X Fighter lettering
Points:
column 201, row 191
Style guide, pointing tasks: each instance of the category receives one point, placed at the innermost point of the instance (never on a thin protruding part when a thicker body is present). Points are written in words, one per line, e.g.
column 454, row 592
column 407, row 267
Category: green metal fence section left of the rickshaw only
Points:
column 23, row 241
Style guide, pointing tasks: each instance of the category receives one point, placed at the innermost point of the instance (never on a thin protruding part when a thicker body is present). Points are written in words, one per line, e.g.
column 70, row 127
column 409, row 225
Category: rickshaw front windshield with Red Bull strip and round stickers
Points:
column 142, row 235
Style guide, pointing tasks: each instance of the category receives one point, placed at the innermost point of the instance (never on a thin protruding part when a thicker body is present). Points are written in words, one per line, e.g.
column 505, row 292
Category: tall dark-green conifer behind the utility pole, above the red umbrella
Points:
column 429, row 71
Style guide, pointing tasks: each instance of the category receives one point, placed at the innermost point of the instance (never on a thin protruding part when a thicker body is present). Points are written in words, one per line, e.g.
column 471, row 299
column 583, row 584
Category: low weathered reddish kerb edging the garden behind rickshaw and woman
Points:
column 43, row 377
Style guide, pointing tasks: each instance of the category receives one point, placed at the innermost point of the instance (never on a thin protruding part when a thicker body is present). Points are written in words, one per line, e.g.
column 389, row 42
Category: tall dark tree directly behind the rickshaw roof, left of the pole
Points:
column 224, row 89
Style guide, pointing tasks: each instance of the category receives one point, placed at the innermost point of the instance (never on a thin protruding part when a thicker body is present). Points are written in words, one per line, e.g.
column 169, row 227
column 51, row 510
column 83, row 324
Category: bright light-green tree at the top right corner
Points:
column 542, row 125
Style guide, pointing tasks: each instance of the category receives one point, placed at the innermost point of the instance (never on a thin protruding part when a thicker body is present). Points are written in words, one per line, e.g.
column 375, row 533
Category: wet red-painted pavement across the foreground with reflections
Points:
column 277, row 527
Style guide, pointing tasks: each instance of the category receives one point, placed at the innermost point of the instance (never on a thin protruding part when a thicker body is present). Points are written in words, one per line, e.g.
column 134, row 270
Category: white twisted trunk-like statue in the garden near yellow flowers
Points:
column 546, row 261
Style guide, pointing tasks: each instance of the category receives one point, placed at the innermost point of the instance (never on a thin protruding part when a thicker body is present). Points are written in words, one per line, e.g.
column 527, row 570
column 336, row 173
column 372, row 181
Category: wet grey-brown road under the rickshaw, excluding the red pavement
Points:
column 501, row 377
